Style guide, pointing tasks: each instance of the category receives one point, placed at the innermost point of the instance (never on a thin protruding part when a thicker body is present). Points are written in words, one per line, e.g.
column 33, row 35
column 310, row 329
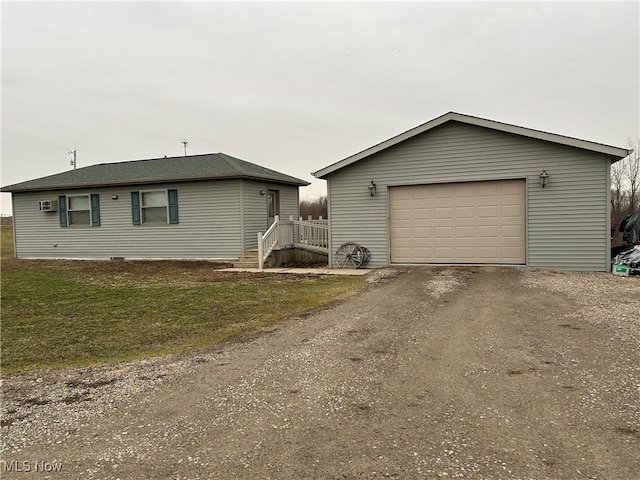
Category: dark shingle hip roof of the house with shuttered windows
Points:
column 173, row 169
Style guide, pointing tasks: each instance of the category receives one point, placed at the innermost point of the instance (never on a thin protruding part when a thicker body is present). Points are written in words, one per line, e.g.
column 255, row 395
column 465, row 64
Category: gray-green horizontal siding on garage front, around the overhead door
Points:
column 567, row 221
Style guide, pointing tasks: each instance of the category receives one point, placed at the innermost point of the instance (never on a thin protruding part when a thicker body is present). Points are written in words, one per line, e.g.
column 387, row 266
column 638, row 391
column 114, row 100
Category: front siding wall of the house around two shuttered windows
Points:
column 209, row 216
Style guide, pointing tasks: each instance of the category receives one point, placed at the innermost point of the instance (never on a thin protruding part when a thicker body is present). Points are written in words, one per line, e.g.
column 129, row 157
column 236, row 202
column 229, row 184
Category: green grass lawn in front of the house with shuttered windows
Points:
column 73, row 313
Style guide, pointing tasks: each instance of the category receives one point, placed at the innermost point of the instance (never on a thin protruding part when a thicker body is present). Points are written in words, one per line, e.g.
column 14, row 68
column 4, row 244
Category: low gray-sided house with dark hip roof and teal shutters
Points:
column 194, row 207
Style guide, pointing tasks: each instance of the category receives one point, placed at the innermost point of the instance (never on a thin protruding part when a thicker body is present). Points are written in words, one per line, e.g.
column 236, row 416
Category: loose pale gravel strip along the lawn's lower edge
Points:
column 34, row 403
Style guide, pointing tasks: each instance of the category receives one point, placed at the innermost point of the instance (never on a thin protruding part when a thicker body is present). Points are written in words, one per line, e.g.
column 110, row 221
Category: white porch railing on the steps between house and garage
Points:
column 306, row 234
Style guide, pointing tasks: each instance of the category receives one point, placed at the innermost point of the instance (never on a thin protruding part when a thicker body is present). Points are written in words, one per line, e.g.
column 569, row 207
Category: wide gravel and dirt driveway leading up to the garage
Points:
column 486, row 373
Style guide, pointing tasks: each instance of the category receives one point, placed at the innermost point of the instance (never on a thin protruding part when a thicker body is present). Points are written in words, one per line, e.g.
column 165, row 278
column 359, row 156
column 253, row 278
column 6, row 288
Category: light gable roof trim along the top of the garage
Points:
column 480, row 122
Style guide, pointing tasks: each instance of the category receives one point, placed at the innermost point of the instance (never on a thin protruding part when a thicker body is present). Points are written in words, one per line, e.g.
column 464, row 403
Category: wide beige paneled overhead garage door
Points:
column 472, row 222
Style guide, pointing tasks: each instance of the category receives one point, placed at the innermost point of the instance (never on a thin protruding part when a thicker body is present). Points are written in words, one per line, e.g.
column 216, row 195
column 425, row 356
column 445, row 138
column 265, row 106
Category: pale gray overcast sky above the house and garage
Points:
column 298, row 86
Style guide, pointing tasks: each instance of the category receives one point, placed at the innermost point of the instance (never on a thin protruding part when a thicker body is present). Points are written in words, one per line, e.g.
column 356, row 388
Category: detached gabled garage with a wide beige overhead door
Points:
column 466, row 190
